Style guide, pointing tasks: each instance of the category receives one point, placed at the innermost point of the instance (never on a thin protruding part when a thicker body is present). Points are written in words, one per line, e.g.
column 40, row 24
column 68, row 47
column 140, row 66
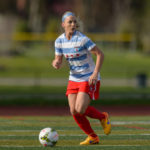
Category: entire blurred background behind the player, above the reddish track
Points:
column 28, row 29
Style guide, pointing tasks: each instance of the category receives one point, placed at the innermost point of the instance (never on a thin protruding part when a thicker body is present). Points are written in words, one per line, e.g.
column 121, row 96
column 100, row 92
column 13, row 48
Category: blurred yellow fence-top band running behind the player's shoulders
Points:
column 105, row 37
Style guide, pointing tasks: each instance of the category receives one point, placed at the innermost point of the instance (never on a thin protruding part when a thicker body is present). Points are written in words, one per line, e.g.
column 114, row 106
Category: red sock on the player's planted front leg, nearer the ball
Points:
column 84, row 124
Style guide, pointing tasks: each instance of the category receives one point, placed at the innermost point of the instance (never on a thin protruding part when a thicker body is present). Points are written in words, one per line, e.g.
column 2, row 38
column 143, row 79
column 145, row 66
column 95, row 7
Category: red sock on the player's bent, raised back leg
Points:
column 94, row 113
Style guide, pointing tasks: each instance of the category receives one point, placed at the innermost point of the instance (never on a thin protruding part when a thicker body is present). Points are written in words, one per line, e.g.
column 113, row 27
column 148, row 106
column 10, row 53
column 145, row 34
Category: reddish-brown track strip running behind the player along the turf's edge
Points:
column 64, row 110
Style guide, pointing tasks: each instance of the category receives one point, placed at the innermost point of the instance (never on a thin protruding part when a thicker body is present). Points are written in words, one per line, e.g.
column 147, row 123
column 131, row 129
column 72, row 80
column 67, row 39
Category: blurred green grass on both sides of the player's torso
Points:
column 36, row 60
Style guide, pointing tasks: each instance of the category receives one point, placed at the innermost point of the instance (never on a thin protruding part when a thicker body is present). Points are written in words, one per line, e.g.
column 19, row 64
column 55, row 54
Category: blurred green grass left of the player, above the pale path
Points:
column 35, row 61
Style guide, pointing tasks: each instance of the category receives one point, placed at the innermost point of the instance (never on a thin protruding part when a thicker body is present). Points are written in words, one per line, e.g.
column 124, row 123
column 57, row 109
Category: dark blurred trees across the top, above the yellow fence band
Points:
column 121, row 16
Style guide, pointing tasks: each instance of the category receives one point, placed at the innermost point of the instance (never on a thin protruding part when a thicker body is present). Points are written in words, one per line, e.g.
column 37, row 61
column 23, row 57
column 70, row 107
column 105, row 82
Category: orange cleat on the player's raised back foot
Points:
column 106, row 124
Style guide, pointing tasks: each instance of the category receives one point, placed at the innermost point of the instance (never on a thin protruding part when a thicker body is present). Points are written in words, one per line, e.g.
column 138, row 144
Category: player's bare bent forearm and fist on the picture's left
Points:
column 57, row 61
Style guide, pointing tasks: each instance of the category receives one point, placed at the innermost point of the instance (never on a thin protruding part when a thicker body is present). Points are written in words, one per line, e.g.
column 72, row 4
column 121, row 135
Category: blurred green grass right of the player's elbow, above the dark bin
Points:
column 119, row 64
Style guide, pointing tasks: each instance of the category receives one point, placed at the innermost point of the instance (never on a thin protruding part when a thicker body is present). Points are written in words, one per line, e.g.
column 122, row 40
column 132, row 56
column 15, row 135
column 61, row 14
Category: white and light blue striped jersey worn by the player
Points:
column 77, row 53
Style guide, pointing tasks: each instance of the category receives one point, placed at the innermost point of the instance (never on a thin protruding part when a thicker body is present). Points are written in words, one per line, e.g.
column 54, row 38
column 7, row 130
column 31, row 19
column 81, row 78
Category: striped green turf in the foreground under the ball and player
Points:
column 21, row 133
